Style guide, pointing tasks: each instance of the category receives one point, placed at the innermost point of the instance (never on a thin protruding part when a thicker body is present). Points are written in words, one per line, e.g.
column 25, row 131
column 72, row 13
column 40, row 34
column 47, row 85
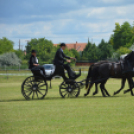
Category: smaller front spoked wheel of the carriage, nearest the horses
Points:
column 69, row 89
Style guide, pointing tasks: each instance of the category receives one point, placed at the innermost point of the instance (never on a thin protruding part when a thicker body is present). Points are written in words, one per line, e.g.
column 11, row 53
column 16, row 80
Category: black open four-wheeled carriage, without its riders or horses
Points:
column 36, row 86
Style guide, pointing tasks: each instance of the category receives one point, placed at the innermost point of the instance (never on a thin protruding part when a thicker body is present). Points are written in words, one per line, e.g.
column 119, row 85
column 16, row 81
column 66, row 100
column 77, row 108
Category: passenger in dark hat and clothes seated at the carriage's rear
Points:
column 33, row 63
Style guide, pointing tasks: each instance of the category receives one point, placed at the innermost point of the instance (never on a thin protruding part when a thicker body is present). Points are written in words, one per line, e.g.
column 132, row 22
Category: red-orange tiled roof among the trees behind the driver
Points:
column 76, row 46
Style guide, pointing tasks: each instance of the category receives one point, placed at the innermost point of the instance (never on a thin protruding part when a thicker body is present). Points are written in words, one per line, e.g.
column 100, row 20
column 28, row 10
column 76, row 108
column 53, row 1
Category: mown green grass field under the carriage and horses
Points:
column 54, row 115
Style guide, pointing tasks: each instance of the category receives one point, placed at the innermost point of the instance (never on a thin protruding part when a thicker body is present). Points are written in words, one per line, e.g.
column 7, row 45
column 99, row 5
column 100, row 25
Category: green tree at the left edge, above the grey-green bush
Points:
column 6, row 45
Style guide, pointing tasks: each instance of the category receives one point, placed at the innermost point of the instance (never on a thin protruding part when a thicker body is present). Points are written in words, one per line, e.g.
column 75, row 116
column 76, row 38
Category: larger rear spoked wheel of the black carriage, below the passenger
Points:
column 34, row 88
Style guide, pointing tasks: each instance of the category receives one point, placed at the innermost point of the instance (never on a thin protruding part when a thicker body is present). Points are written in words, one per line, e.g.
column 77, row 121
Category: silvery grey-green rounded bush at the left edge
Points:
column 9, row 59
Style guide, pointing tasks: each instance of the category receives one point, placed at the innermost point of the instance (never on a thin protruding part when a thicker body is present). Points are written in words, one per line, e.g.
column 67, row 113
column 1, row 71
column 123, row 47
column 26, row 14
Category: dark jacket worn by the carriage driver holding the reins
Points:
column 60, row 57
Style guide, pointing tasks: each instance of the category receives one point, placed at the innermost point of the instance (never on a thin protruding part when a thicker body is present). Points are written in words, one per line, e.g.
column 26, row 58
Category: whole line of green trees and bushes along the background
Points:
column 120, row 42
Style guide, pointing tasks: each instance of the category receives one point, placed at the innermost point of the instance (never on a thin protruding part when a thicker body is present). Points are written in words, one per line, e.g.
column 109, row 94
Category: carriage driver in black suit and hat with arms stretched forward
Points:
column 60, row 59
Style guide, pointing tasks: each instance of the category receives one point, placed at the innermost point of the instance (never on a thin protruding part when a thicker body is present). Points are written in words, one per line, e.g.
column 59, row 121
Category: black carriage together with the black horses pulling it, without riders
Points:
column 99, row 72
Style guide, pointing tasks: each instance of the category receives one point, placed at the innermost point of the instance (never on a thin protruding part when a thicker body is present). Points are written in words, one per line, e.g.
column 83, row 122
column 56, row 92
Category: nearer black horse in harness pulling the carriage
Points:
column 102, row 71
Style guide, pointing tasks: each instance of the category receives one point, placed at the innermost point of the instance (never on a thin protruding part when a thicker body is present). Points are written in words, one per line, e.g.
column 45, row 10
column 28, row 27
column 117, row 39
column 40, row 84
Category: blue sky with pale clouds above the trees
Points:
column 62, row 20
